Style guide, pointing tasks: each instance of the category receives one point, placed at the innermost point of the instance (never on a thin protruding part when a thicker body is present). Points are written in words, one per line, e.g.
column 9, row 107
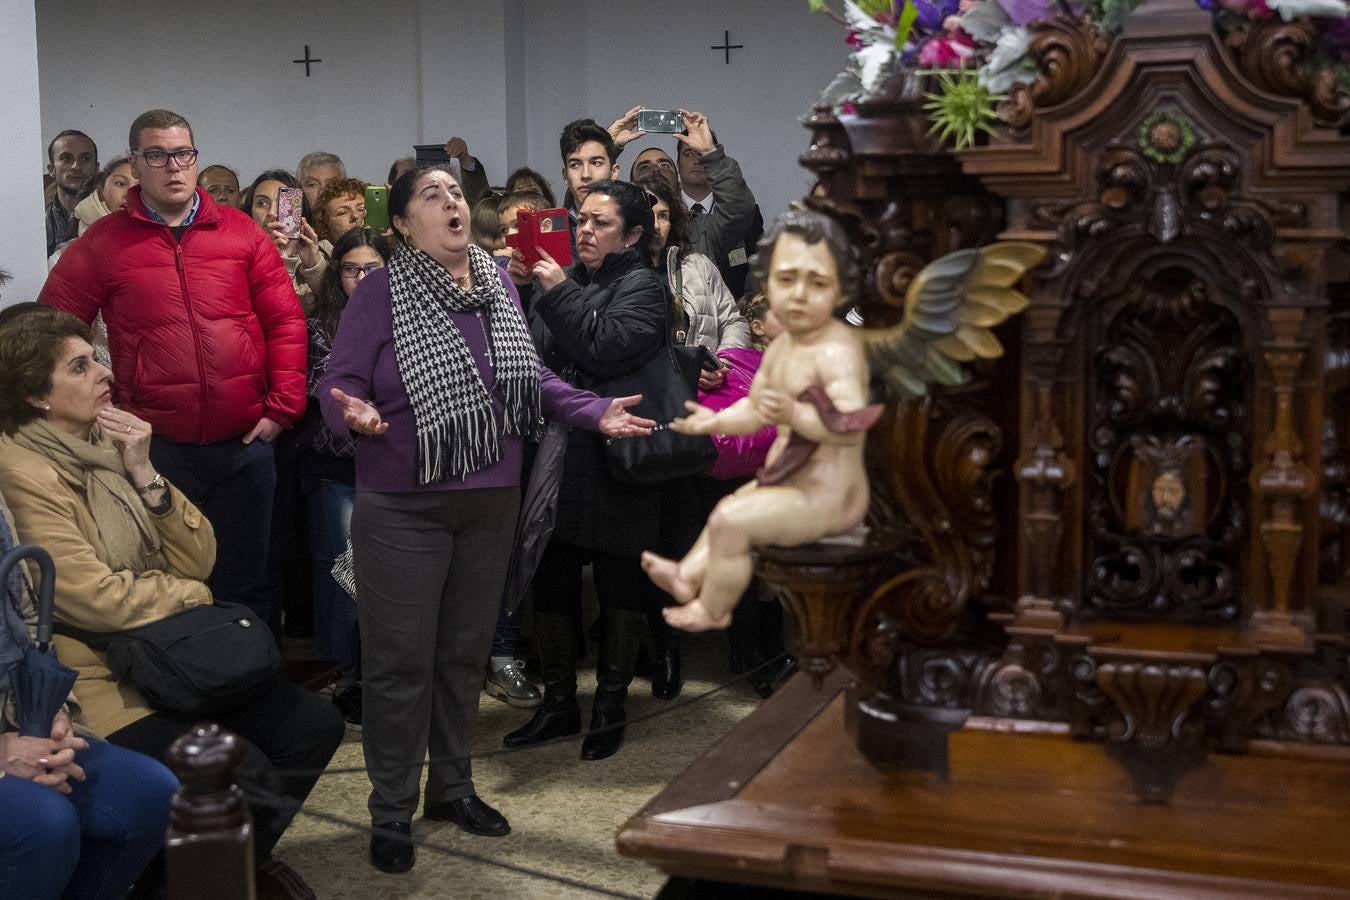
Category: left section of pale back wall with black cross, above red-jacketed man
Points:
column 227, row 69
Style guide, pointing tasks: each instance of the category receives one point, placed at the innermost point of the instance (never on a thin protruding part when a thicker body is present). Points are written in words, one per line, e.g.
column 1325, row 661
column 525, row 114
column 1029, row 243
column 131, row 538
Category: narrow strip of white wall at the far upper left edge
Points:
column 24, row 242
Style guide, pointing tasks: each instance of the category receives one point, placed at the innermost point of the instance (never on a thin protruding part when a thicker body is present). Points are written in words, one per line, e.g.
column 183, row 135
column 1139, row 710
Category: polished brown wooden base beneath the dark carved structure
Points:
column 786, row 801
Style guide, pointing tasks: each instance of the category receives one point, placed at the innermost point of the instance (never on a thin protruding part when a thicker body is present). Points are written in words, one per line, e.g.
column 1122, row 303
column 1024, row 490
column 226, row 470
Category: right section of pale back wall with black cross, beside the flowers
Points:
column 657, row 55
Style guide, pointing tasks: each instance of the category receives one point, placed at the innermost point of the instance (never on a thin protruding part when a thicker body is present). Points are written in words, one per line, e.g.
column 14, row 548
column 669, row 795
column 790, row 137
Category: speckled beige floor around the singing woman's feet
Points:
column 565, row 813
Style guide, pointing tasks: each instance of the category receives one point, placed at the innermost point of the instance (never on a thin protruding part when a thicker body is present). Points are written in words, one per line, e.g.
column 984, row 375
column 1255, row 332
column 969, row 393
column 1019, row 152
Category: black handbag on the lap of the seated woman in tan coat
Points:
column 203, row 660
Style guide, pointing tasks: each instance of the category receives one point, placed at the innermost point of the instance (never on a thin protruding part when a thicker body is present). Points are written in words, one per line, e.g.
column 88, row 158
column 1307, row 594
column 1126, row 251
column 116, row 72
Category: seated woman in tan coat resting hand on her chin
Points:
column 130, row 550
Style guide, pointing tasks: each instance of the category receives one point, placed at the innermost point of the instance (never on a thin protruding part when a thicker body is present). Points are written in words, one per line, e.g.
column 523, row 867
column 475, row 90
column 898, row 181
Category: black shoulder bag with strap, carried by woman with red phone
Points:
column 666, row 381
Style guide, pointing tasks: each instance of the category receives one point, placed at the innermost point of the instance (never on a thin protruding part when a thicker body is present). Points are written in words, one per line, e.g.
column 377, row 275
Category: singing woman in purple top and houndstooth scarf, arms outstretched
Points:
column 437, row 380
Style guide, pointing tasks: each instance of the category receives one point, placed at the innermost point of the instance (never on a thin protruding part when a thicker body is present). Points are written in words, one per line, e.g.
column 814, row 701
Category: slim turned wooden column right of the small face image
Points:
column 1283, row 486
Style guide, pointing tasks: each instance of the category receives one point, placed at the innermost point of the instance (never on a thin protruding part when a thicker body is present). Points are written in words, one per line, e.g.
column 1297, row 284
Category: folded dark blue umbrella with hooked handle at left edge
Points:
column 40, row 682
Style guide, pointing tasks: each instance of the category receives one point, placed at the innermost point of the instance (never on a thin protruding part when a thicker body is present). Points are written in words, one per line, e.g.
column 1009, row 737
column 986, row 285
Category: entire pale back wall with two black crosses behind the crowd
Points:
column 504, row 75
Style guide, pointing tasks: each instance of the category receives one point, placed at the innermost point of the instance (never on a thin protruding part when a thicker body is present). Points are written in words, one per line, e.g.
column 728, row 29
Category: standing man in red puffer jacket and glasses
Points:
column 207, row 341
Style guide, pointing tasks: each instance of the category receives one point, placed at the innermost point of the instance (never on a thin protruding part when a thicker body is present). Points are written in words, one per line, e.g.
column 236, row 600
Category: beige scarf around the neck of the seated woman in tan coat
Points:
column 95, row 468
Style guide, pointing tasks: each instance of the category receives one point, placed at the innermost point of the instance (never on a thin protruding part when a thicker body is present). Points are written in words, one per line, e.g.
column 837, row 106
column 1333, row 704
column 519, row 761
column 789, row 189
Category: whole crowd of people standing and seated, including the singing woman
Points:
column 198, row 384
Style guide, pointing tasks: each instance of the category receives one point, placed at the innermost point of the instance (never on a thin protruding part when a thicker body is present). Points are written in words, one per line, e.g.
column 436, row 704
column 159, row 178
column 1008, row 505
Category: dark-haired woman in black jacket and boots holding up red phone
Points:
column 599, row 320
